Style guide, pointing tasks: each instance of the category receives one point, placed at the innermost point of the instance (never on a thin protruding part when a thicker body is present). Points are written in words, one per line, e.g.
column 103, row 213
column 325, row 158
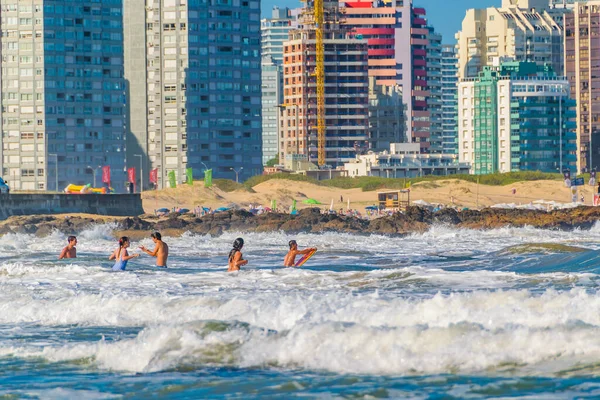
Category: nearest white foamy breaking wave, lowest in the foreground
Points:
column 338, row 347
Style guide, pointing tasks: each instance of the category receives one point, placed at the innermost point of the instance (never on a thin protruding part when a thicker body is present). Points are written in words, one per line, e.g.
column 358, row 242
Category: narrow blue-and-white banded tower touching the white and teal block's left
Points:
column 449, row 63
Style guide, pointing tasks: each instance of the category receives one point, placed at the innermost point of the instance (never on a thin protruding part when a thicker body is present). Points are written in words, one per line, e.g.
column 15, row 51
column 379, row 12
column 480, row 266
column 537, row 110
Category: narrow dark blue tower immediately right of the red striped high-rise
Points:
column 434, row 100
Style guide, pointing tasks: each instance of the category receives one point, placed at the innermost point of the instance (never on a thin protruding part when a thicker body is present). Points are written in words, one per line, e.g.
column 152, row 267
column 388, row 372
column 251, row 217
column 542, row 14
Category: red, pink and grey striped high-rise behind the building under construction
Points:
column 397, row 36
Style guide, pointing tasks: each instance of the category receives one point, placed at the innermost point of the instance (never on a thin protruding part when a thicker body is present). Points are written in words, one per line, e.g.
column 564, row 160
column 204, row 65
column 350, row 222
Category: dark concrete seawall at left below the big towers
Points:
column 127, row 205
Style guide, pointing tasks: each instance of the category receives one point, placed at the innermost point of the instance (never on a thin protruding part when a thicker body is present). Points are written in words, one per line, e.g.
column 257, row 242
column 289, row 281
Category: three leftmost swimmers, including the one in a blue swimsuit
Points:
column 121, row 255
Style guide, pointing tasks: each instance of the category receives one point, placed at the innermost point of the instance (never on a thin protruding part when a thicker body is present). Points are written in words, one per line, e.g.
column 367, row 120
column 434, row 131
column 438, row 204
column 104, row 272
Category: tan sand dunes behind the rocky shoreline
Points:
column 451, row 191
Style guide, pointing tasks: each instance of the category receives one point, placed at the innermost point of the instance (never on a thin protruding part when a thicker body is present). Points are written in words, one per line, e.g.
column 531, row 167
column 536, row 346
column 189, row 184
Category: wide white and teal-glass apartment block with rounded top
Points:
column 516, row 117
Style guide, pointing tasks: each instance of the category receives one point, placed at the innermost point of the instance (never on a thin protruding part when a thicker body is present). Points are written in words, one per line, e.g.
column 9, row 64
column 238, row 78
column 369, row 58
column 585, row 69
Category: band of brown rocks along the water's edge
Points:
column 415, row 219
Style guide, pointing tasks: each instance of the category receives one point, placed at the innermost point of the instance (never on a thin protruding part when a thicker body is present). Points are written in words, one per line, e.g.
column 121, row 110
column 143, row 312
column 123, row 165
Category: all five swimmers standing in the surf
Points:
column 161, row 252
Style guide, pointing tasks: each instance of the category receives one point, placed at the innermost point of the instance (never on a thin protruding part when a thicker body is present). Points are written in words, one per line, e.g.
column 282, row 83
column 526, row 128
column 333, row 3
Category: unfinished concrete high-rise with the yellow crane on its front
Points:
column 325, row 111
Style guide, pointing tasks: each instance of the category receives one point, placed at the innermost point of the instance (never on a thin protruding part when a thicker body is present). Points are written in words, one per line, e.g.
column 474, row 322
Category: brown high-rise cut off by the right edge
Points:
column 582, row 67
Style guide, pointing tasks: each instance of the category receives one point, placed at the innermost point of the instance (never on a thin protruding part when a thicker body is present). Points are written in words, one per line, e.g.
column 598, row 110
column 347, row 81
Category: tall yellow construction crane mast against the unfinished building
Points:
column 320, row 75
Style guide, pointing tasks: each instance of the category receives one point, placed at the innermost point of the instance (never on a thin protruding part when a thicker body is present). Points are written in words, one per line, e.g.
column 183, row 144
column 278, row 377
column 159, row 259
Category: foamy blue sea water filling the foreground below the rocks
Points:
column 445, row 314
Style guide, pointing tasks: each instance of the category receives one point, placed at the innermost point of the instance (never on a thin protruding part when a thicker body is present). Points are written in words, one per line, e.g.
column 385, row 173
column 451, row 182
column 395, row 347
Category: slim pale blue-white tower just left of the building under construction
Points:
column 274, row 32
